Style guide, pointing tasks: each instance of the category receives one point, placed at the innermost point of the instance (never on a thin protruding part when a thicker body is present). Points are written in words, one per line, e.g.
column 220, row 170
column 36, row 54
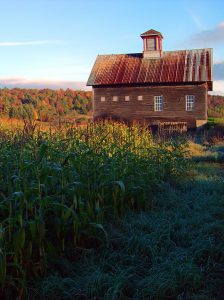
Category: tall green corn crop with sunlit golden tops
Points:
column 58, row 187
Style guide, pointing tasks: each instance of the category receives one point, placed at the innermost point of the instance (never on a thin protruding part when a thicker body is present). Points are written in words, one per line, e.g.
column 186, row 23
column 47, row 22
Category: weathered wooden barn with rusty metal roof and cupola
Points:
column 153, row 86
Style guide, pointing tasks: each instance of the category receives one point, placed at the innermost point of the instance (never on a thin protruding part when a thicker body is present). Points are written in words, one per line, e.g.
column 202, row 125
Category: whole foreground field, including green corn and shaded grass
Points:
column 111, row 212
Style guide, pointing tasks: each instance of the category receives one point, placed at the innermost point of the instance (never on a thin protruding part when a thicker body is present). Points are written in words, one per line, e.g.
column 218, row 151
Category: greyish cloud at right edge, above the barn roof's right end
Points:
column 209, row 37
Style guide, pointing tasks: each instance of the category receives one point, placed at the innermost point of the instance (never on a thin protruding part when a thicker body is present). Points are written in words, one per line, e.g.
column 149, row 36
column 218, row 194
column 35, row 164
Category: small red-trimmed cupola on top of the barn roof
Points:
column 152, row 44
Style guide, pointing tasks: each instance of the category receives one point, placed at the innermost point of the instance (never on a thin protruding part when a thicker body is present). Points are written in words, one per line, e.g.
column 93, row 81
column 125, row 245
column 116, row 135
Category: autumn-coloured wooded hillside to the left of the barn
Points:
column 44, row 104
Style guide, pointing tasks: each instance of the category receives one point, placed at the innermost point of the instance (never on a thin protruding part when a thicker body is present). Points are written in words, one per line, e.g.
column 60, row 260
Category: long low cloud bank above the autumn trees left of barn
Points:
column 41, row 84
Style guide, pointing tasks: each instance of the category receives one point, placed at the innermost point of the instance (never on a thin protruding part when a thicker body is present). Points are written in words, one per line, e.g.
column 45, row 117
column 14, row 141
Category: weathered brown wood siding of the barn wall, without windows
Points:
column 174, row 103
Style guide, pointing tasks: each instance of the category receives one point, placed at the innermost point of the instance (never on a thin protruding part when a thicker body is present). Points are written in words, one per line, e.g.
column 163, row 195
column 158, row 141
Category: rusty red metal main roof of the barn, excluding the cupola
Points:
column 174, row 67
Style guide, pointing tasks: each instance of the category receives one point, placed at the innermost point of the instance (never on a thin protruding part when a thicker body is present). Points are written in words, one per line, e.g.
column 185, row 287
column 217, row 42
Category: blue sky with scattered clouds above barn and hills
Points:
column 54, row 43
